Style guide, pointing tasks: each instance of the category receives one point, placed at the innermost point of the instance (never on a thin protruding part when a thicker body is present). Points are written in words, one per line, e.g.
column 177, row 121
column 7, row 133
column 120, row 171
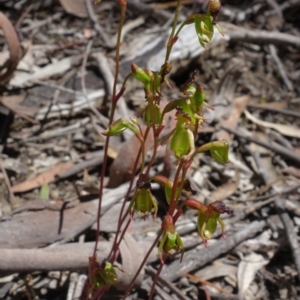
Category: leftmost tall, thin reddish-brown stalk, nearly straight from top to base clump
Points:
column 113, row 108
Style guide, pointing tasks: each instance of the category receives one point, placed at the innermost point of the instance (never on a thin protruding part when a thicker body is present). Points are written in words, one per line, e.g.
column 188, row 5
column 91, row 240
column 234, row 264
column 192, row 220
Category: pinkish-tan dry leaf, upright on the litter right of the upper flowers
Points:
column 238, row 106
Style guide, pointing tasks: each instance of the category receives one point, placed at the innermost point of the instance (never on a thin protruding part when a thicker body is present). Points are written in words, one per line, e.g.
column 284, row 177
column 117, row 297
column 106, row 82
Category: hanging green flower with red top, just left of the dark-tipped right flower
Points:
column 170, row 242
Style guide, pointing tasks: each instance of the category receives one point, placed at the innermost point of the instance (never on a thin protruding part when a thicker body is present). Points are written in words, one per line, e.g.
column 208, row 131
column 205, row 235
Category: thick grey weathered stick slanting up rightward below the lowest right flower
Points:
column 196, row 260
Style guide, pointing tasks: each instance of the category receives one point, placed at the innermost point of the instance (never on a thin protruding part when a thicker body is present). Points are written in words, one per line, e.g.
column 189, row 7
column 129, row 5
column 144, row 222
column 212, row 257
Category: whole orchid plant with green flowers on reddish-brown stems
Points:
column 181, row 140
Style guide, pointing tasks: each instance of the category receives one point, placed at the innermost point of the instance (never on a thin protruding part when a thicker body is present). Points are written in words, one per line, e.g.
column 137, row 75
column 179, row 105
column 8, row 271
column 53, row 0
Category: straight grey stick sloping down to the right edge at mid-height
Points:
column 275, row 147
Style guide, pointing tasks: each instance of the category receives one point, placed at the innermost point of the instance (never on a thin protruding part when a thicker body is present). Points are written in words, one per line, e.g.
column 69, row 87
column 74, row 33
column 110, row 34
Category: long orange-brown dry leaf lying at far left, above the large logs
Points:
column 43, row 178
